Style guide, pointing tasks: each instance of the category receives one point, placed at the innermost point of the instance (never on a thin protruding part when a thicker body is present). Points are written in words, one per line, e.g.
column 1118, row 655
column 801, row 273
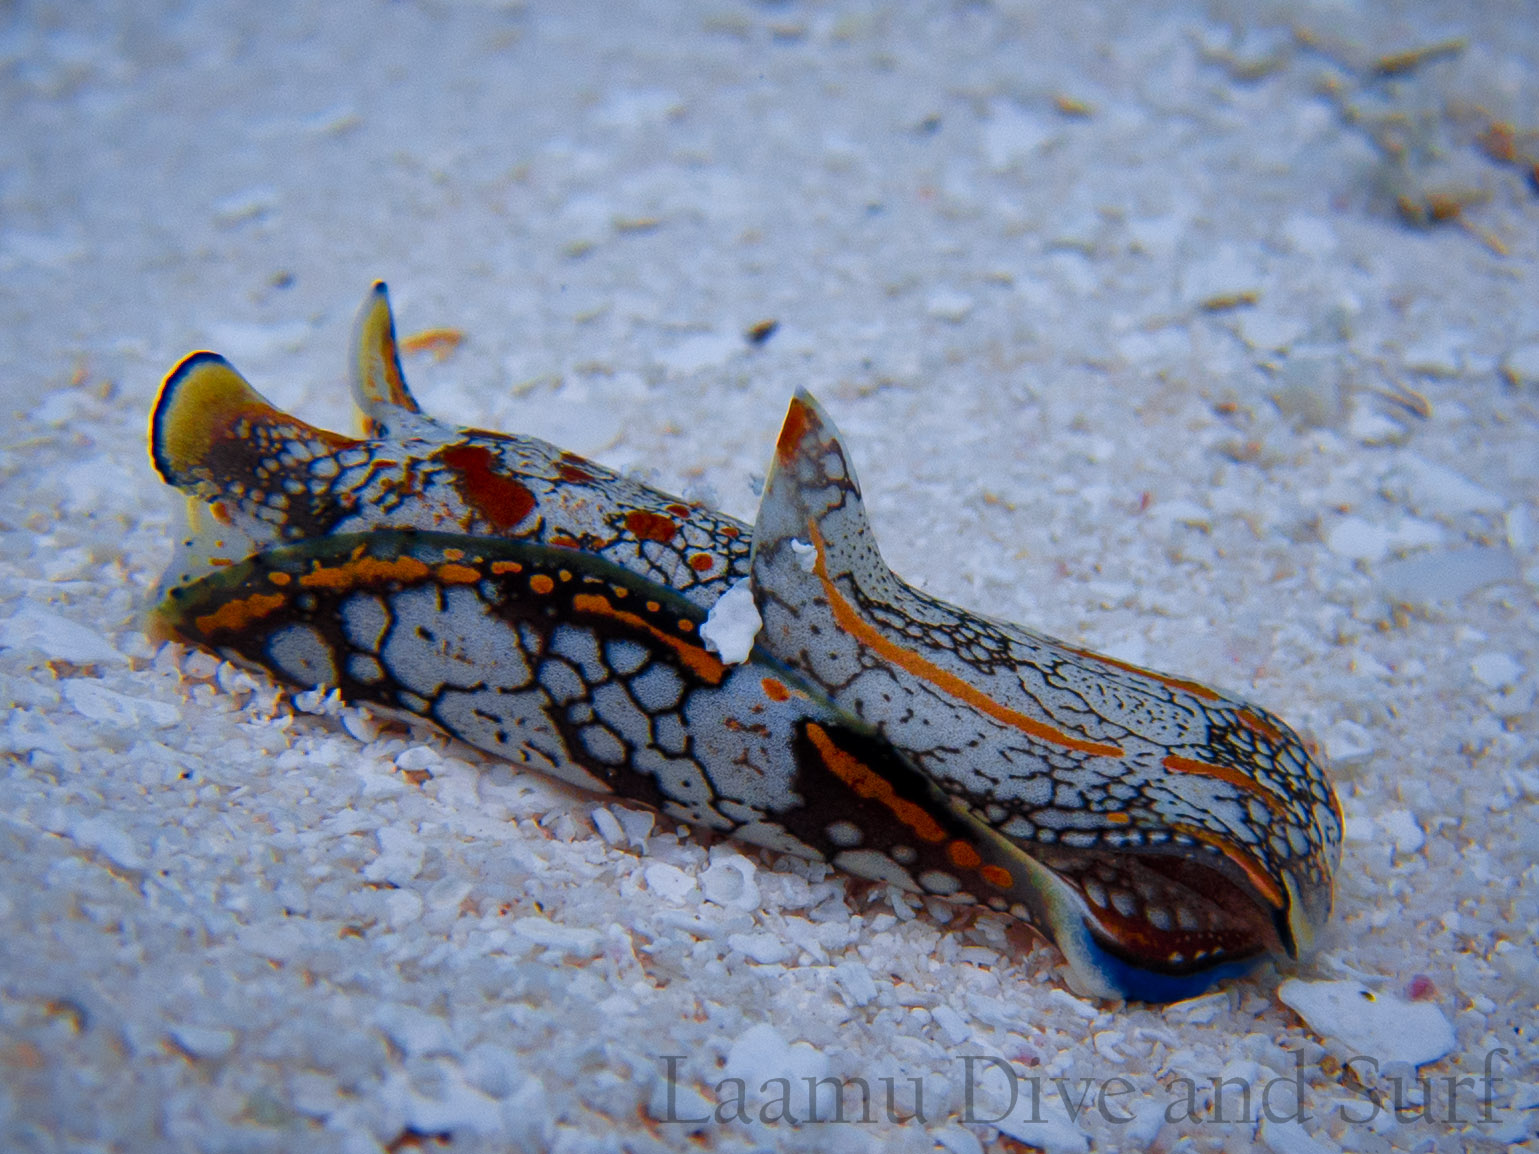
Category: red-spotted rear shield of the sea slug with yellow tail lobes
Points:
column 258, row 476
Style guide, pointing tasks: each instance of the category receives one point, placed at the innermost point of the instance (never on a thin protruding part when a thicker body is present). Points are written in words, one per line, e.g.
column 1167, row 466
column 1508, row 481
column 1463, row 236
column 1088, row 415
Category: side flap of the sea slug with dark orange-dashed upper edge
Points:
column 576, row 667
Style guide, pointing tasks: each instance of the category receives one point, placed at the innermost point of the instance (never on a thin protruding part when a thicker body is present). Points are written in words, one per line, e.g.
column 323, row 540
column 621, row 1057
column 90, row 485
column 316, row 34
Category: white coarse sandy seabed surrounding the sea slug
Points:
column 1204, row 335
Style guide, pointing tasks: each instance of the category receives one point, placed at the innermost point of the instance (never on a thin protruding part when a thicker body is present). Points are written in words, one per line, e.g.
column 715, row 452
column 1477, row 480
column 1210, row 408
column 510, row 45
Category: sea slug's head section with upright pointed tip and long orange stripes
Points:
column 1183, row 829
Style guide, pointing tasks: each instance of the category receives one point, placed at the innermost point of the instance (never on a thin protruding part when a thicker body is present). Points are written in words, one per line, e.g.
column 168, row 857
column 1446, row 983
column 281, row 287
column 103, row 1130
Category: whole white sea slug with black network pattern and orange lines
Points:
column 550, row 612
